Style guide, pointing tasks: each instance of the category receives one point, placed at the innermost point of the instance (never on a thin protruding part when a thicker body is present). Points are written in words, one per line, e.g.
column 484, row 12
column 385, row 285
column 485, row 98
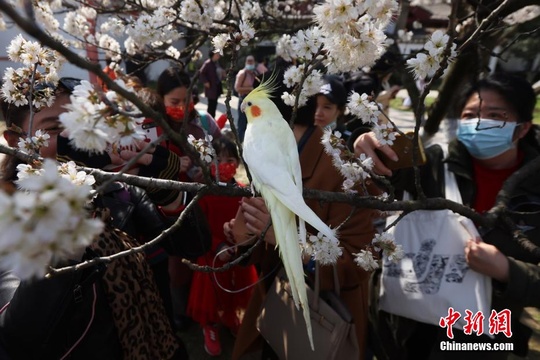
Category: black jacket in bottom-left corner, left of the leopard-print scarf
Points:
column 46, row 317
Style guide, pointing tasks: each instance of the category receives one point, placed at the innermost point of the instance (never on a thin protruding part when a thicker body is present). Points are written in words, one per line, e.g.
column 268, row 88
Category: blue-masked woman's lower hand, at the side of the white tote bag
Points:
column 487, row 259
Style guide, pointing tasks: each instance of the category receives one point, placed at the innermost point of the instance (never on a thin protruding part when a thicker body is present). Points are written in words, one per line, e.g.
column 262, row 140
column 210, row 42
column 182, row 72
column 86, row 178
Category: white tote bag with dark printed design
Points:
column 433, row 276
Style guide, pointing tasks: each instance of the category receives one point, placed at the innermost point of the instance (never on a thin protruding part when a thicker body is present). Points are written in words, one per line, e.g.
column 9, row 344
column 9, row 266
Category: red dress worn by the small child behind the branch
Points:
column 208, row 302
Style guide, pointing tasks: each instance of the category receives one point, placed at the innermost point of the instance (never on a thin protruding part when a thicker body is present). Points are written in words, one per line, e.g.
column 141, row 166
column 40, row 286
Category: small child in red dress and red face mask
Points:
column 218, row 298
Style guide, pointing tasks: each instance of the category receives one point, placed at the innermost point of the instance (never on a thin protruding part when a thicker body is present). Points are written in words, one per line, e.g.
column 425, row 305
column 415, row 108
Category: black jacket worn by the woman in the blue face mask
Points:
column 523, row 287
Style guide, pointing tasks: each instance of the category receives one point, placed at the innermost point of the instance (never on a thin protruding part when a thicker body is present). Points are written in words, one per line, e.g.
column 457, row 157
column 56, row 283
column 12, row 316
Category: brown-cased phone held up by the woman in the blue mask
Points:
column 403, row 147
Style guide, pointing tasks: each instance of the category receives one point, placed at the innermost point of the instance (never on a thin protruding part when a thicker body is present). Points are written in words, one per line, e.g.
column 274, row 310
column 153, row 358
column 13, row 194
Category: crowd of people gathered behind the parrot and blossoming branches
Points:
column 136, row 307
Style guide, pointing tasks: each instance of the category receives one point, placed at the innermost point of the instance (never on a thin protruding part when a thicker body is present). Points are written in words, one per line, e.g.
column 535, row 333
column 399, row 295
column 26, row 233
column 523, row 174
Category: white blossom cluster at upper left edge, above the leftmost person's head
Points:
column 40, row 64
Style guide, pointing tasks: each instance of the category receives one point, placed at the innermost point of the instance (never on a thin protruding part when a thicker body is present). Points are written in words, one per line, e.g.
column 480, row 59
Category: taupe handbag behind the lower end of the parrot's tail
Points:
column 282, row 324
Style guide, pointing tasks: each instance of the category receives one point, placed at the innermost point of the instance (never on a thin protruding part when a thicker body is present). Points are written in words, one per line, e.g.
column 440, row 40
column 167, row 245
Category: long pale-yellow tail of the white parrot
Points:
column 285, row 229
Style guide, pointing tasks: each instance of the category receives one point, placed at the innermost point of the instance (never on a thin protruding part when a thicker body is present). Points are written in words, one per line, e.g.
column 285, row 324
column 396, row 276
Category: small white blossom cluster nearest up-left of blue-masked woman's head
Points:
column 426, row 63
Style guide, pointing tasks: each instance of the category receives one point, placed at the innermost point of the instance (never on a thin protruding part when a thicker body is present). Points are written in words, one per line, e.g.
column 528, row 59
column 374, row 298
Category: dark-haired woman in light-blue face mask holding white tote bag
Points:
column 494, row 140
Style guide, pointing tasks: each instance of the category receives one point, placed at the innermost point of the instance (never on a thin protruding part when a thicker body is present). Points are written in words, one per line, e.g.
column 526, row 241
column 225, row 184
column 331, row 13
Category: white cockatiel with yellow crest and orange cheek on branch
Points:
column 271, row 153
